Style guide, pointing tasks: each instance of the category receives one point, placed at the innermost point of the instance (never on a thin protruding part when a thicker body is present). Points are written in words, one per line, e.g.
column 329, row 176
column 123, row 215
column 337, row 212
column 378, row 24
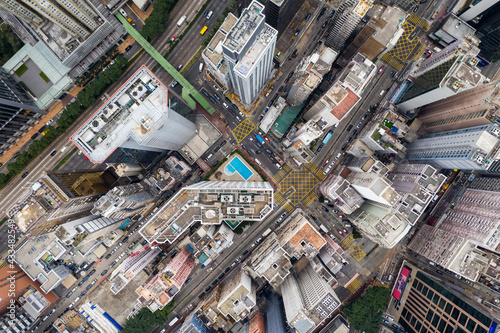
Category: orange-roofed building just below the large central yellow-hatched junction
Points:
column 298, row 237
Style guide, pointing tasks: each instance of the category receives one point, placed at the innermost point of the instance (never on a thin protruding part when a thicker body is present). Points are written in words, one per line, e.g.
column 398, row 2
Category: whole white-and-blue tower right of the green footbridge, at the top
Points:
column 249, row 51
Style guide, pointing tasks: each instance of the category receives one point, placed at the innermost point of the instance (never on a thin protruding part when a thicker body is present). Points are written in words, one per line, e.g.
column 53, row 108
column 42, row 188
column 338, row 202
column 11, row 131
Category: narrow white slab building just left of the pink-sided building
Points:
column 131, row 266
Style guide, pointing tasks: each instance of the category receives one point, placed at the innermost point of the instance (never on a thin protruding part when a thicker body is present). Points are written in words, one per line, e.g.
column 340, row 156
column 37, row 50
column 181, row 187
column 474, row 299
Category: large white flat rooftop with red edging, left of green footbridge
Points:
column 132, row 113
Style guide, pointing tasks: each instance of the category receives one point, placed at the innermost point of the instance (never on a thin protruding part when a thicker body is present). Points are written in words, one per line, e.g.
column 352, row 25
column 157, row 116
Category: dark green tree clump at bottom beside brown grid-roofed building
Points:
column 365, row 313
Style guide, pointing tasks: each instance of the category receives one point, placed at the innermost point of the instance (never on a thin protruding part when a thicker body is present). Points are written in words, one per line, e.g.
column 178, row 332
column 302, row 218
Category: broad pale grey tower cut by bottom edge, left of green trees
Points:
column 308, row 300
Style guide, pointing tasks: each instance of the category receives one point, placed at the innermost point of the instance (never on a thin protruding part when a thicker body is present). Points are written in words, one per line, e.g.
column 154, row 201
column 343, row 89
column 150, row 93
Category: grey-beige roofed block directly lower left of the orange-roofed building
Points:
column 270, row 261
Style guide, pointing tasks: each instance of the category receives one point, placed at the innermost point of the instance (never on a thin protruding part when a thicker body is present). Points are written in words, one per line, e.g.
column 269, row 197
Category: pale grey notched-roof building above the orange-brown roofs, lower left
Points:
column 39, row 259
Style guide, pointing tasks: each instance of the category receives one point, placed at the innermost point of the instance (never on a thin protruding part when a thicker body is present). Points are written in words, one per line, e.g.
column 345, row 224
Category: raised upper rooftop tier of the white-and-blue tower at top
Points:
column 243, row 30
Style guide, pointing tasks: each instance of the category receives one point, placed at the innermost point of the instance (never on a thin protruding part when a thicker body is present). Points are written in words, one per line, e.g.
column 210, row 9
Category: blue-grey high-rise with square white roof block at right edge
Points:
column 466, row 149
